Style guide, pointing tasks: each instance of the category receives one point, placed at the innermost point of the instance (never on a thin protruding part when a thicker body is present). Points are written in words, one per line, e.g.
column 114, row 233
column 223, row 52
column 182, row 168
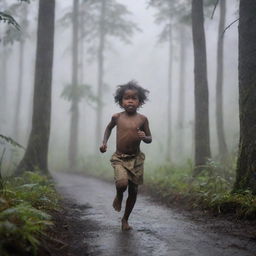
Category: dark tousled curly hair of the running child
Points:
column 132, row 85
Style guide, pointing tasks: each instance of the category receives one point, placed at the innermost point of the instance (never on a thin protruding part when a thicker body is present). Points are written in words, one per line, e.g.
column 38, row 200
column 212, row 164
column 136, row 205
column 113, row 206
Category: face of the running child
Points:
column 130, row 101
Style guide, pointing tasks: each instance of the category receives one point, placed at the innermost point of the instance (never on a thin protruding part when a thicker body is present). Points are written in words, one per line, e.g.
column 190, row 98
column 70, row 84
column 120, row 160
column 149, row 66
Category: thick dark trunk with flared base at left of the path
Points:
column 36, row 154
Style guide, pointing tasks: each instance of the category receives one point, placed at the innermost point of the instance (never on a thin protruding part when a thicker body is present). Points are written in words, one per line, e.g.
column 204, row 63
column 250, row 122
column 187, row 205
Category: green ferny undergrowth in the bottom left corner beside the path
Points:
column 24, row 205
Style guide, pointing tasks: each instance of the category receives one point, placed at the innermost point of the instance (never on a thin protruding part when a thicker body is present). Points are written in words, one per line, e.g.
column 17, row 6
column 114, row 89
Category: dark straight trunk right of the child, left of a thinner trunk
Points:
column 202, row 138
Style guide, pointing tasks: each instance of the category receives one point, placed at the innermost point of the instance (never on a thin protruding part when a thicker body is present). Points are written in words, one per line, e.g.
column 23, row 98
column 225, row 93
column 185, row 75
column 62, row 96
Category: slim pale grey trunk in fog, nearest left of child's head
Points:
column 100, row 75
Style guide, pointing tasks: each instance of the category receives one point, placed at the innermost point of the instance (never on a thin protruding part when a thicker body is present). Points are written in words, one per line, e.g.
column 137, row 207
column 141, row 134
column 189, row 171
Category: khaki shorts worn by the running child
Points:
column 129, row 167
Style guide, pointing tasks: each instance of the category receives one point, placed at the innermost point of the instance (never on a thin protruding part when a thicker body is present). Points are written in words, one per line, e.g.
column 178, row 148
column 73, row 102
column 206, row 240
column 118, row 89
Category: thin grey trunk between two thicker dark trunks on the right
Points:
column 223, row 151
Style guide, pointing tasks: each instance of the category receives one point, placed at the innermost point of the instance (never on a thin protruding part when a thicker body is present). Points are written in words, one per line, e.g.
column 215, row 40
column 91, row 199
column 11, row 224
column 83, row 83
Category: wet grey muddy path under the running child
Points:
column 87, row 225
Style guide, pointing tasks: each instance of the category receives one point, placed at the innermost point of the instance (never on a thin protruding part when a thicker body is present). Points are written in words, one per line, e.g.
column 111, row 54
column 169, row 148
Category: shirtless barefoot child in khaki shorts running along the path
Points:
column 128, row 160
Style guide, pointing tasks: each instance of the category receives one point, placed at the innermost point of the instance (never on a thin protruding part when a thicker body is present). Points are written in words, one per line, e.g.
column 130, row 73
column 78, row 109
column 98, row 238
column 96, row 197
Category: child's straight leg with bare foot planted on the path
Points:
column 130, row 202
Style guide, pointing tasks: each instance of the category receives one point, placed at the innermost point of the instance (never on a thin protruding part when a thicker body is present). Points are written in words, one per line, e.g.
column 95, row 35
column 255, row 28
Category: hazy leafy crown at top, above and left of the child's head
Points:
column 115, row 22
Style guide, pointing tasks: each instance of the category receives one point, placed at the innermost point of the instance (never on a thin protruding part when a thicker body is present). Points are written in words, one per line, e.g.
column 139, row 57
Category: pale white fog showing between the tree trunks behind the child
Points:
column 144, row 60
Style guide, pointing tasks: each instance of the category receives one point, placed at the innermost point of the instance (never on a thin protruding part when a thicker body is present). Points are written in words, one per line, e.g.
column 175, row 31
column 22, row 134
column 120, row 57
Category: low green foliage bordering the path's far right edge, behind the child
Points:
column 210, row 191
